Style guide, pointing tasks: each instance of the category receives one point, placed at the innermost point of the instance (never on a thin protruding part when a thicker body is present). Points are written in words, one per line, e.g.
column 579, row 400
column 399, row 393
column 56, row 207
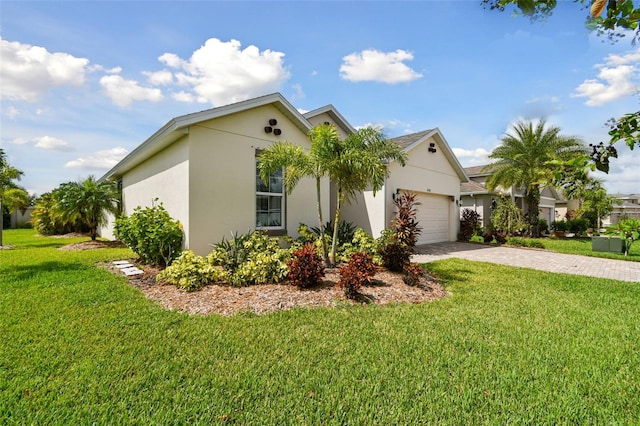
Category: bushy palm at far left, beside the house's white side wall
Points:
column 87, row 201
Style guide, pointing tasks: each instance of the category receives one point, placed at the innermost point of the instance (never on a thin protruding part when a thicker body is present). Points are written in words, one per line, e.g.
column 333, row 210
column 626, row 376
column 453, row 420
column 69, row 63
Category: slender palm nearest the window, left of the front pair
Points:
column 297, row 164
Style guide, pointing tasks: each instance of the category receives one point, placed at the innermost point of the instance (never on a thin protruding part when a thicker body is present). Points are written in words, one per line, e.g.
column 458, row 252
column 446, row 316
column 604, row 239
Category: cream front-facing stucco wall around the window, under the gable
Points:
column 222, row 190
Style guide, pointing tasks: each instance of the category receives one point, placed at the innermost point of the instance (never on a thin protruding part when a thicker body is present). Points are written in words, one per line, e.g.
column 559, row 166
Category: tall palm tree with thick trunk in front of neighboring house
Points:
column 525, row 159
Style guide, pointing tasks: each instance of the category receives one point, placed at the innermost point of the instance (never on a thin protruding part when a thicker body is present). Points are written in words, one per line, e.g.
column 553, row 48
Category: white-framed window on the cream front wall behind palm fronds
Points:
column 269, row 201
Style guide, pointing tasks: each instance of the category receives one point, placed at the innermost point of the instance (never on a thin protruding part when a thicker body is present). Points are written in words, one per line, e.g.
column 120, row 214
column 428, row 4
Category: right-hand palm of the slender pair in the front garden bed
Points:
column 357, row 163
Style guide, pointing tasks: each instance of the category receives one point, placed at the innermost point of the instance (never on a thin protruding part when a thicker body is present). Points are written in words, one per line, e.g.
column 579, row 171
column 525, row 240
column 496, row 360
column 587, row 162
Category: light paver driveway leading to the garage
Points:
column 535, row 259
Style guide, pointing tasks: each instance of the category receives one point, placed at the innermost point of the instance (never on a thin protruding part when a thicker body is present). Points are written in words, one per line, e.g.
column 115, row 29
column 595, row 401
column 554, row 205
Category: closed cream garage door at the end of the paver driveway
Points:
column 433, row 217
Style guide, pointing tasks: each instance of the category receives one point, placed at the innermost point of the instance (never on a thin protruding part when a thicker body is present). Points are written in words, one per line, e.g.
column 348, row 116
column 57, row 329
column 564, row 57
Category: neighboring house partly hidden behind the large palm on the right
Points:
column 474, row 195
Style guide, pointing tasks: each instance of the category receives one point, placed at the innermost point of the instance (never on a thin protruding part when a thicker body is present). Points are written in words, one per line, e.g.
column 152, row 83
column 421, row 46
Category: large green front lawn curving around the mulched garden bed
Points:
column 510, row 346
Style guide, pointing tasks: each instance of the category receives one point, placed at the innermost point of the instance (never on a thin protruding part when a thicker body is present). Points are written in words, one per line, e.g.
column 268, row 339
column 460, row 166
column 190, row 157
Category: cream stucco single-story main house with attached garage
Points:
column 202, row 167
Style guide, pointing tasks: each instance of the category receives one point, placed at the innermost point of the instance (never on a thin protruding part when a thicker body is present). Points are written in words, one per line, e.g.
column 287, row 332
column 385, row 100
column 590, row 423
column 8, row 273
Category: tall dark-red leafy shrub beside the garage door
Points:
column 400, row 242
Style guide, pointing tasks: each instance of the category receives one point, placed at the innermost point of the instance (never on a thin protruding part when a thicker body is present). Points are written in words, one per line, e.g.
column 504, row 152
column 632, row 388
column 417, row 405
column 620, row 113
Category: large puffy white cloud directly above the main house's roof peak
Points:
column 221, row 72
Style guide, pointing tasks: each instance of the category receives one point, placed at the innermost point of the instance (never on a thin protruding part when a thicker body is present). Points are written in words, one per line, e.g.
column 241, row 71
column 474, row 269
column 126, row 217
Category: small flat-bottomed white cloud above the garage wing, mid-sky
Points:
column 373, row 65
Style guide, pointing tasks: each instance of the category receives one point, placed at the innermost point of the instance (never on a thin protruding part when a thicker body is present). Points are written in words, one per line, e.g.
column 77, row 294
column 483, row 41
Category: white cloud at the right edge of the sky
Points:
column 617, row 78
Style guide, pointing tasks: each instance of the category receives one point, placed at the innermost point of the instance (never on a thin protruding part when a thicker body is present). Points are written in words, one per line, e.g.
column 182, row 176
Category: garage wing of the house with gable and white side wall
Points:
column 433, row 173
